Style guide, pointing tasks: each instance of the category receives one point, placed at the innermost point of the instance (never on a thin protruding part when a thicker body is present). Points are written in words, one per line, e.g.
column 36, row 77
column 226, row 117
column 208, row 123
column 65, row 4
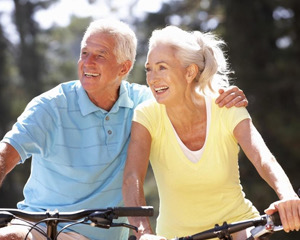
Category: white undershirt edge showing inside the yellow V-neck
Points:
column 194, row 156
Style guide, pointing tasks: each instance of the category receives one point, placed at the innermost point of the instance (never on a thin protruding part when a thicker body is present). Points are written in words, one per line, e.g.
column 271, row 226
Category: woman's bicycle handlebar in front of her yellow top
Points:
column 264, row 227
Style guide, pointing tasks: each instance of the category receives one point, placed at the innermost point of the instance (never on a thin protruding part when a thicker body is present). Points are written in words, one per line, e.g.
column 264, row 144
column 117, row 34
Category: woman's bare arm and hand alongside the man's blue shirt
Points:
column 135, row 172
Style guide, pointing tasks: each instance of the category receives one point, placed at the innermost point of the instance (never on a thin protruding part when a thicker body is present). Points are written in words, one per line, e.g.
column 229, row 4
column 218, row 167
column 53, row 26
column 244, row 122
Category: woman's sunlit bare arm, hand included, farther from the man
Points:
column 269, row 169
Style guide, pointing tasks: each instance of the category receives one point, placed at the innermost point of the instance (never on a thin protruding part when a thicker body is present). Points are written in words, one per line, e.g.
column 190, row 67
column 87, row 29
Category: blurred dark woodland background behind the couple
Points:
column 40, row 44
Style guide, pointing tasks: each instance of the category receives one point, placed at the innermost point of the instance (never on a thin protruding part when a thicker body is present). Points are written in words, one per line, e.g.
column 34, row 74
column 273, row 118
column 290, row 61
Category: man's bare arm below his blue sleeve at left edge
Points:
column 9, row 157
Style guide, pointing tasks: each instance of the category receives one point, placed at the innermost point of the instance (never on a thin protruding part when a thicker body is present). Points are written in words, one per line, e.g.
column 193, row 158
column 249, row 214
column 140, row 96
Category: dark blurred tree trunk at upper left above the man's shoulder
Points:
column 30, row 52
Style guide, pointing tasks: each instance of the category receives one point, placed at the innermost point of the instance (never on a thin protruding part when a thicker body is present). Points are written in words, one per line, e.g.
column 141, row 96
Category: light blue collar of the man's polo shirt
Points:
column 86, row 106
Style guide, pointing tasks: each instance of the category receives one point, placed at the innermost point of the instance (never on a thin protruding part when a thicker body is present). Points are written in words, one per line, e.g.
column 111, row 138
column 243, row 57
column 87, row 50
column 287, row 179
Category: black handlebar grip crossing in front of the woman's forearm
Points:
column 145, row 211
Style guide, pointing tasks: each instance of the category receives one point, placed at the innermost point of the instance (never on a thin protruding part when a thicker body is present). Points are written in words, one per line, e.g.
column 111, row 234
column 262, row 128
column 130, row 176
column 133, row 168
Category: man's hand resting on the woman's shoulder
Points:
column 232, row 96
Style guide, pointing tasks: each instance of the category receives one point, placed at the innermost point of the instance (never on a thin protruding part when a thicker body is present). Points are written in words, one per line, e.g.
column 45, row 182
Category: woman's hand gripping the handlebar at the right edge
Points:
column 289, row 212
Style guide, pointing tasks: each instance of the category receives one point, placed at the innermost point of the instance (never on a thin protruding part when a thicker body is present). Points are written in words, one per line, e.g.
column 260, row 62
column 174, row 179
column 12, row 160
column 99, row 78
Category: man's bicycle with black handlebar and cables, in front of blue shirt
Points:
column 102, row 218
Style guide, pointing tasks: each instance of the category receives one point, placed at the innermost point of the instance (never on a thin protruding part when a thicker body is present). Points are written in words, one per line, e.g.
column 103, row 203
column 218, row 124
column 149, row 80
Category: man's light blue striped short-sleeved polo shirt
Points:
column 78, row 151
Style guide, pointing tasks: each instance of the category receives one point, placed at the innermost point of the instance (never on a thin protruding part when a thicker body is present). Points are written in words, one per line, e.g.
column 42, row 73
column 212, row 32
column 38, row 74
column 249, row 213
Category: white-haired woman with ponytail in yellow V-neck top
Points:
column 193, row 144
